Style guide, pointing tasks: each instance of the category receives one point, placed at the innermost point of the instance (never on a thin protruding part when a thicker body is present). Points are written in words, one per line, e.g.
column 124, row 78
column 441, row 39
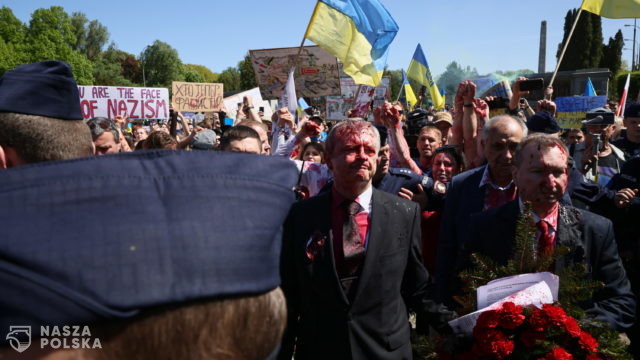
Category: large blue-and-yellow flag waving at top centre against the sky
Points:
column 358, row 32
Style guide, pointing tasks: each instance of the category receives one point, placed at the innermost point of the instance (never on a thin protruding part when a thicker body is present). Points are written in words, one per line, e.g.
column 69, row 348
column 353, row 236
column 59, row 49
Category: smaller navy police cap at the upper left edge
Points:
column 45, row 88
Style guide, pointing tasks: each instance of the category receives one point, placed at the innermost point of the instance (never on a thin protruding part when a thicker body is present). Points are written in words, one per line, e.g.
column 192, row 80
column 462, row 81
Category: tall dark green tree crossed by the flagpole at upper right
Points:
column 585, row 48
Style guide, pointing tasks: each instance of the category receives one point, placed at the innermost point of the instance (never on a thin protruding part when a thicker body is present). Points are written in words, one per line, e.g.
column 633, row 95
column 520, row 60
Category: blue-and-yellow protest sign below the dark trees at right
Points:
column 571, row 110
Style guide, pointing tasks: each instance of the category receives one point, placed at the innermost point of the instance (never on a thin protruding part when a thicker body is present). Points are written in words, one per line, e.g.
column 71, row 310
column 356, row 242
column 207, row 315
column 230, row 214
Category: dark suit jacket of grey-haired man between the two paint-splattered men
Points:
column 464, row 197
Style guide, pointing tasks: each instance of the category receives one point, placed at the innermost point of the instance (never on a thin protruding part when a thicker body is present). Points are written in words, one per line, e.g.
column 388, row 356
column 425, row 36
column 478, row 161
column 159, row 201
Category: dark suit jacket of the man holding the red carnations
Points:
column 590, row 240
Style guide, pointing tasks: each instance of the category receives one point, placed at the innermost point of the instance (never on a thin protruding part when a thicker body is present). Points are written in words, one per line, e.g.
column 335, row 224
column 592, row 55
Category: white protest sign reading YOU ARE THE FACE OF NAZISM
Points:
column 133, row 102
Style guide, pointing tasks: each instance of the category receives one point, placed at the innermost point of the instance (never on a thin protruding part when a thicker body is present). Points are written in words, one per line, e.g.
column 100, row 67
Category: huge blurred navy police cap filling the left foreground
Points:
column 88, row 240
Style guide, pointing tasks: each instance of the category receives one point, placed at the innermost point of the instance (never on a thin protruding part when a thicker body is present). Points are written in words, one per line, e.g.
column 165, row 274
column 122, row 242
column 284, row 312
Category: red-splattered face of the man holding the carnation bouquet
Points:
column 544, row 179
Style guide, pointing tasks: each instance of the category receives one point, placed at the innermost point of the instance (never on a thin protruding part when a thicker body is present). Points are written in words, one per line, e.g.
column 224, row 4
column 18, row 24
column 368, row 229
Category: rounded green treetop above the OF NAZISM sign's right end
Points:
column 161, row 64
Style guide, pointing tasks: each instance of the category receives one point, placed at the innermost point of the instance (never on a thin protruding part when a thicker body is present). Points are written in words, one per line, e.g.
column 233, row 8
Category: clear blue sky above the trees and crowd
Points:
column 489, row 35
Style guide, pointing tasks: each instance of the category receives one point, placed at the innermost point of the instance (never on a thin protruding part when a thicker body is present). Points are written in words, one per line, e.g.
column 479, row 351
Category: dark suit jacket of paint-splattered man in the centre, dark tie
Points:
column 323, row 323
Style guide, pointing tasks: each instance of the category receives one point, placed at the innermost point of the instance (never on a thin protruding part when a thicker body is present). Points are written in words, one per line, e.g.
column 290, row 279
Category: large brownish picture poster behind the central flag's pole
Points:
column 316, row 73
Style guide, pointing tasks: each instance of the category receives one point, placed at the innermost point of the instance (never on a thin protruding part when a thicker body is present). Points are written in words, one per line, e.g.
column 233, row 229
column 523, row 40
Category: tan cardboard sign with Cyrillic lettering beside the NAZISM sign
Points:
column 196, row 97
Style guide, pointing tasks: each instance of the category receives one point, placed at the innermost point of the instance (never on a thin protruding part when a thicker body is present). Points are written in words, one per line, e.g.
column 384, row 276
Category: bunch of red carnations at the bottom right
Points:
column 517, row 332
